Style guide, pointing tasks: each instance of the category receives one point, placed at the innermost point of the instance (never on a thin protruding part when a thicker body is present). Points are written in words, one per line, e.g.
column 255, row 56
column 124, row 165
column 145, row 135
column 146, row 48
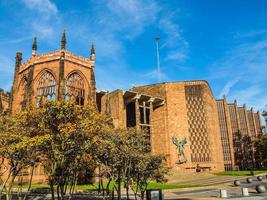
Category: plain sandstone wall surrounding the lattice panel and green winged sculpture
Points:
column 174, row 121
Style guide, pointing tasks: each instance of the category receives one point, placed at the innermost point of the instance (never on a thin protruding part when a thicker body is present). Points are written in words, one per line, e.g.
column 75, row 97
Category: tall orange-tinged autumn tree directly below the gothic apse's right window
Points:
column 72, row 130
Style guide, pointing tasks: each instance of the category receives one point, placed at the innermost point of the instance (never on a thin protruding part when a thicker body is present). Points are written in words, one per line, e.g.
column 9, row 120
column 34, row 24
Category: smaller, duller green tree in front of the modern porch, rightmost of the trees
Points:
column 125, row 161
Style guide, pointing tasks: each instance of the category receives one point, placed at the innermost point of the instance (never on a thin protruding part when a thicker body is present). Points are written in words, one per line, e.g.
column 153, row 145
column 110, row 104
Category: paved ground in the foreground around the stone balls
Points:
column 209, row 190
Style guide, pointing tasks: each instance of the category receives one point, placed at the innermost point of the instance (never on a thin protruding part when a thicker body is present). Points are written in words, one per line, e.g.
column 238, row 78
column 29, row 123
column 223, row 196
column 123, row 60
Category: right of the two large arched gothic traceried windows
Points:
column 75, row 88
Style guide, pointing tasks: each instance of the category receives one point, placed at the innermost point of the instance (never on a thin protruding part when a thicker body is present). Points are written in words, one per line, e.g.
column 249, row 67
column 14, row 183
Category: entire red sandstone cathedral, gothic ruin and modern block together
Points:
column 182, row 120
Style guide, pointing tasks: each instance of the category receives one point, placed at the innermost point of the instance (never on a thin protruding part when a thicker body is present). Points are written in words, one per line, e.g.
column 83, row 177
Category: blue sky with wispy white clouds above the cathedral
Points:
column 222, row 41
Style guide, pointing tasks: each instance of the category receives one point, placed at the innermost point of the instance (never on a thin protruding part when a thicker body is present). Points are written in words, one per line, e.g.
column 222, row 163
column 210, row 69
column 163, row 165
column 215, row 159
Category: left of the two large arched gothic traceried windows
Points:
column 46, row 88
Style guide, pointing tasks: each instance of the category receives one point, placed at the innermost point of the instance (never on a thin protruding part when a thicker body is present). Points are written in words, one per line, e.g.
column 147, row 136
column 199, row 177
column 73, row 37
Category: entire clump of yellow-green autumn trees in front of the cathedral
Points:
column 67, row 139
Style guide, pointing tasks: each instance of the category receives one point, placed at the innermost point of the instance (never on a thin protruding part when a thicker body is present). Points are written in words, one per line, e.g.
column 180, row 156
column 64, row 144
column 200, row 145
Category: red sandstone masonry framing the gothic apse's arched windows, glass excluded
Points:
column 33, row 68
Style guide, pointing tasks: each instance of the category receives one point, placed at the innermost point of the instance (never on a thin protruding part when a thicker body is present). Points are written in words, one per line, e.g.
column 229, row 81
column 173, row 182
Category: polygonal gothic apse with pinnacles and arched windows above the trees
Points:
column 57, row 75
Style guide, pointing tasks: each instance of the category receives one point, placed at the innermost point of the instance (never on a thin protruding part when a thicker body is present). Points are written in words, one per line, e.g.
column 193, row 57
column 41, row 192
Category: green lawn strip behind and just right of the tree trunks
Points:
column 152, row 185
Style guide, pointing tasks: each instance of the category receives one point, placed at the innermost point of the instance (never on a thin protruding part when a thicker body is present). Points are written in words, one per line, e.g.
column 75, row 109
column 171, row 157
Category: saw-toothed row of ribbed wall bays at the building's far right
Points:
column 239, row 127
